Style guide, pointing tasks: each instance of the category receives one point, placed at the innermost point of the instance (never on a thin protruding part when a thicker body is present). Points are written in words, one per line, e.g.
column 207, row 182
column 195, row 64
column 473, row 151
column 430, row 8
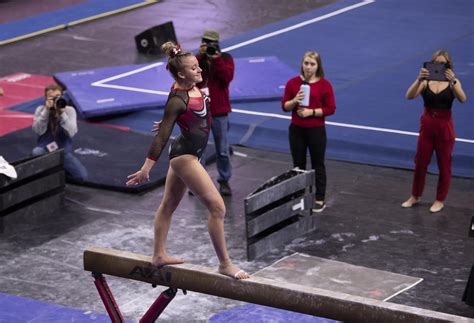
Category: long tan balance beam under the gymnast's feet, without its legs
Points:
column 257, row 290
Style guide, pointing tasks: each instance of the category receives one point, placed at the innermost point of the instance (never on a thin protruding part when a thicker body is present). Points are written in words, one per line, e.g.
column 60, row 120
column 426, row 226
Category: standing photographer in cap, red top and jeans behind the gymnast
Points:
column 217, row 73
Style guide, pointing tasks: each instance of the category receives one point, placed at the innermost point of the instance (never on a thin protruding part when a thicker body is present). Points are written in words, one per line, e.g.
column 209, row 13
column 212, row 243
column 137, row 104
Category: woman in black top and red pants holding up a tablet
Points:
column 436, row 129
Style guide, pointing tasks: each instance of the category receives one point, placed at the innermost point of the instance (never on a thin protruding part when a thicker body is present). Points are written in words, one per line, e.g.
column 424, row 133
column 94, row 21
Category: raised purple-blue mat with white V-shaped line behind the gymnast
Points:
column 115, row 90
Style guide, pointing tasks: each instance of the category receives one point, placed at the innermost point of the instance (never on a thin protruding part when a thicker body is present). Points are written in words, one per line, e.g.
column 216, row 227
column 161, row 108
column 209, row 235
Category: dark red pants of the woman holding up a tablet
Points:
column 436, row 133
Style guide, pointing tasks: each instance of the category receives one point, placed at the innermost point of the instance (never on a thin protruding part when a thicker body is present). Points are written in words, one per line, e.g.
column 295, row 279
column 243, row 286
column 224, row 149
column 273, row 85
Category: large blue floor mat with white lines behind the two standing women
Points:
column 371, row 56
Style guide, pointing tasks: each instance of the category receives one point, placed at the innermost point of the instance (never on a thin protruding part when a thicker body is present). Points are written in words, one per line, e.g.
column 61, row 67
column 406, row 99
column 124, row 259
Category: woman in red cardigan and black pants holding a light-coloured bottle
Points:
column 307, row 130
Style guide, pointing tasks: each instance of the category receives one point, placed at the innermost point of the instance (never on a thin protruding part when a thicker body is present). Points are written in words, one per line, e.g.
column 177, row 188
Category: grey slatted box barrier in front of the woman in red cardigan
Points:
column 279, row 211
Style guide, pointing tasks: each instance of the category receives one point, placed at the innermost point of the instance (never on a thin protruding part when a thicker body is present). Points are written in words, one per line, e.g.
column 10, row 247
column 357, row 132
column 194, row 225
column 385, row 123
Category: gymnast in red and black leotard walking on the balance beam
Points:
column 186, row 106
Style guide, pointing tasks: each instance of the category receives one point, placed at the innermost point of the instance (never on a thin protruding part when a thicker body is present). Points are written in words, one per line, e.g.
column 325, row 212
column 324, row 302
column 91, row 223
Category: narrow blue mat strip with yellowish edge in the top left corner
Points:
column 65, row 17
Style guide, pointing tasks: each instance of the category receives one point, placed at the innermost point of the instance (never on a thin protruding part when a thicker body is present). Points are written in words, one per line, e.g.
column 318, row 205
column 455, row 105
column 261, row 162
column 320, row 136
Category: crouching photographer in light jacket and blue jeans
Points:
column 56, row 123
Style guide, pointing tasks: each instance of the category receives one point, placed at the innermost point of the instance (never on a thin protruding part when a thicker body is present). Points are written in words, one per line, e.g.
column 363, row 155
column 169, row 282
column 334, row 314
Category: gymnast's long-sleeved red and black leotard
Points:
column 194, row 120
